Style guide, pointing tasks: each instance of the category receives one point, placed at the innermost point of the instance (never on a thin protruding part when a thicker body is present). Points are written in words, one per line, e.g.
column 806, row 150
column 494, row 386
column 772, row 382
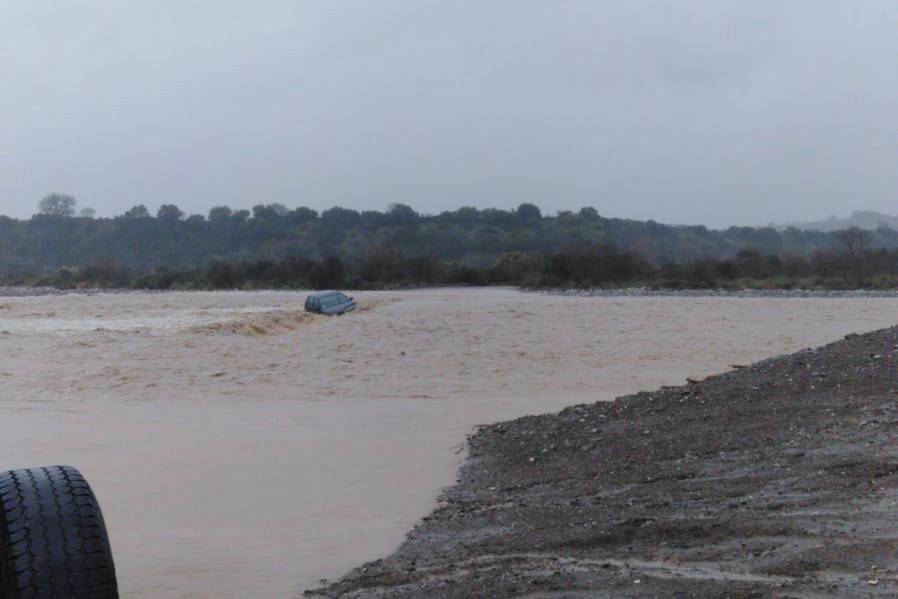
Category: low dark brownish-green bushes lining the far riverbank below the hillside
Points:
column 577, row 267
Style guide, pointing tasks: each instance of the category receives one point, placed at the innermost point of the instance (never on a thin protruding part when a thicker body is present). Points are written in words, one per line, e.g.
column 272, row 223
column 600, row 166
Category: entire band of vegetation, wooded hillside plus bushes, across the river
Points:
column 274, row 247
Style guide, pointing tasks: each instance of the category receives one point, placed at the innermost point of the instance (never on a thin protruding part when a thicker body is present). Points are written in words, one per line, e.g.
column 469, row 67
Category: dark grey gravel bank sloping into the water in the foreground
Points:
column 779, row 479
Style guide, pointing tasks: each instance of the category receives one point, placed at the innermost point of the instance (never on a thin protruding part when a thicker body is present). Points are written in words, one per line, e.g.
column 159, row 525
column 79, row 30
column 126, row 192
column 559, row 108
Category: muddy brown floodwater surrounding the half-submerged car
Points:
column 243, row 449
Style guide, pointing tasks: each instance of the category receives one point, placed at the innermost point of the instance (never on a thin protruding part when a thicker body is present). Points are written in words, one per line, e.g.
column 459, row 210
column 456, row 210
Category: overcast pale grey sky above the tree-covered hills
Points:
column 705, row 111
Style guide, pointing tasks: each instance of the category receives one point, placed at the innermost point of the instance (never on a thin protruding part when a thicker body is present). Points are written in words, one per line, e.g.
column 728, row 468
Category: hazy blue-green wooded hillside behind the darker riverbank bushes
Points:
column 141, row 241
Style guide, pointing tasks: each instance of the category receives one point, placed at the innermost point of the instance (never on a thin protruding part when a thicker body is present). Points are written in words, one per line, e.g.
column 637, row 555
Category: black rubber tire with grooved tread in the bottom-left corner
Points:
column 52, row 536
